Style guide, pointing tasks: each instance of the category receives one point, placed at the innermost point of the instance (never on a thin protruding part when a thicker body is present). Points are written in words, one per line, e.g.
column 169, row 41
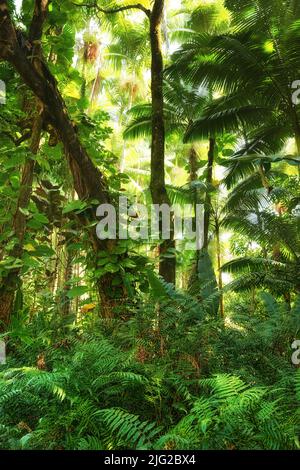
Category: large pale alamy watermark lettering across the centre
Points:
column 157, row 222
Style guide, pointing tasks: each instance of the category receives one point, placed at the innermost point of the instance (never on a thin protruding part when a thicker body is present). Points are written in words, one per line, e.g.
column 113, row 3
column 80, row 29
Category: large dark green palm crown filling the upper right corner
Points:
column 253, row 66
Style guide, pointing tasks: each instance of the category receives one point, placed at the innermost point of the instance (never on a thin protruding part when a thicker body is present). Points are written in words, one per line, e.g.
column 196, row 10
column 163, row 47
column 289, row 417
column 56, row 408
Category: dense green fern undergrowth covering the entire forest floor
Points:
column 85, row 391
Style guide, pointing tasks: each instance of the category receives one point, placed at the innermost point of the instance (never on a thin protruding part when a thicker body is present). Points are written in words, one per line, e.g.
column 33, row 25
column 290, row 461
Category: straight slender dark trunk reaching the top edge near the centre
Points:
column 167, row 266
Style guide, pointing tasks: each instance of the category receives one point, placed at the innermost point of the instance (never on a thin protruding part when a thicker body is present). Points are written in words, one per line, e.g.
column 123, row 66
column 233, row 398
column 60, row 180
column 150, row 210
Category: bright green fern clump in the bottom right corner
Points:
column 236, row 416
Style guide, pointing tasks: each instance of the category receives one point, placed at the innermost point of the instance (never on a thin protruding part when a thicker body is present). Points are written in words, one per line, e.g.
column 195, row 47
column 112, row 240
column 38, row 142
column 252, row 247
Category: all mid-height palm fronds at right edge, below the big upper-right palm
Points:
column 266, row 212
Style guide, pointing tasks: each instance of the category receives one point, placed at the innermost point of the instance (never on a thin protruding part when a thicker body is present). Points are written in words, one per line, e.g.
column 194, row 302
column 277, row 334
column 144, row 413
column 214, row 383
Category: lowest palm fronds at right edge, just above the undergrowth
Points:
column 277, row 268
